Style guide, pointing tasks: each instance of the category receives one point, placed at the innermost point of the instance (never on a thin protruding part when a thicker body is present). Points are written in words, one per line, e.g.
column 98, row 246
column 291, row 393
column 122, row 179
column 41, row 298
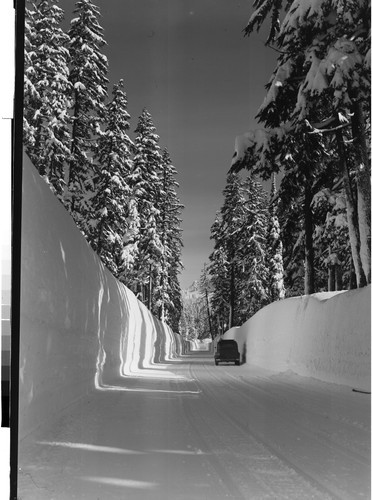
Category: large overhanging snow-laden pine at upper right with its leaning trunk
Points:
column 325, row 59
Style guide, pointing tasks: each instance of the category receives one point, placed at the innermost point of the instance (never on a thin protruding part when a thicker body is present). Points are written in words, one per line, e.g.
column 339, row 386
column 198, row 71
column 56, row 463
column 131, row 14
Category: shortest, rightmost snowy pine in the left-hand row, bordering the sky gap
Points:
column 169, row 228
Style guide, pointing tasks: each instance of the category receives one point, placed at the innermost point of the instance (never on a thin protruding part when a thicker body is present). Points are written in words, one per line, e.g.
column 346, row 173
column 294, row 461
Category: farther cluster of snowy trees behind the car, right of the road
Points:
column 245, row 270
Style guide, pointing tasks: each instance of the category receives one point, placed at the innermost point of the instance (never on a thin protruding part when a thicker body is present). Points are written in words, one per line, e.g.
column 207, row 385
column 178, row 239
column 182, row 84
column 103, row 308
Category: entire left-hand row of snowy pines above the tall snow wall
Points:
column 121, row 193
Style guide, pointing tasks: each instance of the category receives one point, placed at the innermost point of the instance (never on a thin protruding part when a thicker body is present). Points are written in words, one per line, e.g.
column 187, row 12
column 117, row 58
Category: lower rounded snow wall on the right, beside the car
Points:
column 326, row 336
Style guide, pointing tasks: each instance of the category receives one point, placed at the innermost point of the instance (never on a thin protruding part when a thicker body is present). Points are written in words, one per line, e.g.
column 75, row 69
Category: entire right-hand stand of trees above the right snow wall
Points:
column 314, row 232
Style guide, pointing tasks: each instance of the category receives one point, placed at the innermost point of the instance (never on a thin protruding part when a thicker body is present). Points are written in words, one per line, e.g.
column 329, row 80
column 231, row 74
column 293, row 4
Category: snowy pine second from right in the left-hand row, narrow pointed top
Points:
column 146, row 167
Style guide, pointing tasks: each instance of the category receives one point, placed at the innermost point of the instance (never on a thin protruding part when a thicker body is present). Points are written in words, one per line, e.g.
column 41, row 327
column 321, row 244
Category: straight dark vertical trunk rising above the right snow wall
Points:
column 309, row 247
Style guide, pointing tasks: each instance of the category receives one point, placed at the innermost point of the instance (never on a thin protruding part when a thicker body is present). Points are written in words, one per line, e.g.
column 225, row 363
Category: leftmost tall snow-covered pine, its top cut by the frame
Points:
column 47, row 92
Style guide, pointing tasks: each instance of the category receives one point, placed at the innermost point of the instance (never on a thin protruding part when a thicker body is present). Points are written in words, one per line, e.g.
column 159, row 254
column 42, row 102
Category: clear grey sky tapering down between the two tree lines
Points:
column 189, row 64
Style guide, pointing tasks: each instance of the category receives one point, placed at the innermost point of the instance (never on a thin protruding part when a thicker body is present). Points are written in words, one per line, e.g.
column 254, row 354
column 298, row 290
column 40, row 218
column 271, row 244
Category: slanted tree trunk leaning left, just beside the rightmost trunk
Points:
column 351, row 212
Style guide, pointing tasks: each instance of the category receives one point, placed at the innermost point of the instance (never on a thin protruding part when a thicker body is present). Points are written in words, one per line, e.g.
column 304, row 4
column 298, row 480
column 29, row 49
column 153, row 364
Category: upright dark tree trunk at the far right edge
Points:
column 363, row 186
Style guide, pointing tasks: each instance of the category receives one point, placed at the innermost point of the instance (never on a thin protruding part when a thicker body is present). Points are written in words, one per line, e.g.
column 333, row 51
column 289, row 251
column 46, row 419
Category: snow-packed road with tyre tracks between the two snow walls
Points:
column 197, row 431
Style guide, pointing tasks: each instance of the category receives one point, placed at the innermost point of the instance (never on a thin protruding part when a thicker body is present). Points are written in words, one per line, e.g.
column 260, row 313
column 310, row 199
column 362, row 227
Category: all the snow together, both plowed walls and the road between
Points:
column 114, row 406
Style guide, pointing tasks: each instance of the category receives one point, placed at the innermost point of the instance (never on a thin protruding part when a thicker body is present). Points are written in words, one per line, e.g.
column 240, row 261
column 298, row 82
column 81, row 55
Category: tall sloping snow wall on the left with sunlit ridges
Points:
column 81, row 329
